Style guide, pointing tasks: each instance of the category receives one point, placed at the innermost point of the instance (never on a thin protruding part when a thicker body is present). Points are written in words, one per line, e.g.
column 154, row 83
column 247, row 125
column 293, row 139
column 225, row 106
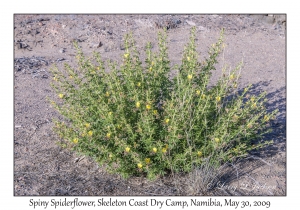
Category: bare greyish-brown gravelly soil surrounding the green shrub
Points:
column 41, row 167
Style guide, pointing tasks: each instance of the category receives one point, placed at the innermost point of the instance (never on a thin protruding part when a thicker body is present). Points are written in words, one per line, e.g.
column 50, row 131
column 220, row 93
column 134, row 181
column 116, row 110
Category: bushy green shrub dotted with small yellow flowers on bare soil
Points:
column 136, row 119
